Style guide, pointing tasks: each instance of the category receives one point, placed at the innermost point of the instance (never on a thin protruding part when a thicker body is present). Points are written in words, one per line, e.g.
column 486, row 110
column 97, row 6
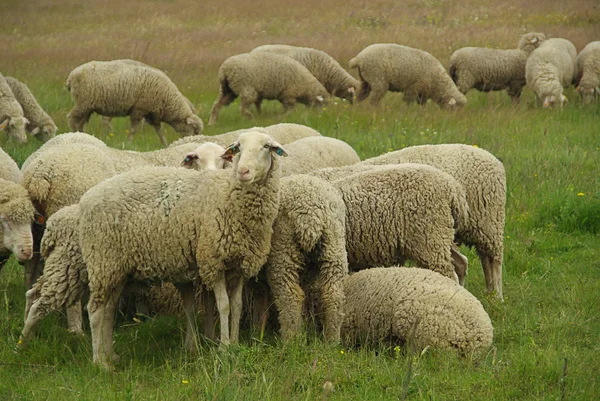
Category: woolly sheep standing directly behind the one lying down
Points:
column 398, row 212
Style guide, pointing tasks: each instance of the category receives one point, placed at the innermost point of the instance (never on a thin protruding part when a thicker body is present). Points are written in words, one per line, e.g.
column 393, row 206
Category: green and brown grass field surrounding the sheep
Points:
column 546, row 333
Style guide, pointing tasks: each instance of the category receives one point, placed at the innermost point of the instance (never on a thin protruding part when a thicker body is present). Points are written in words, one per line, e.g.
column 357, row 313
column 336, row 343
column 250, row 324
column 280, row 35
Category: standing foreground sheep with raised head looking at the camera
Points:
column 204, row 222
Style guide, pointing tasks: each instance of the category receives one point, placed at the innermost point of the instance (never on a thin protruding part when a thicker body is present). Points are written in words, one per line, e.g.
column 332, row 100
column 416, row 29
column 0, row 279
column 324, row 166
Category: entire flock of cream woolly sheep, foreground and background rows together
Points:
column 206, row 214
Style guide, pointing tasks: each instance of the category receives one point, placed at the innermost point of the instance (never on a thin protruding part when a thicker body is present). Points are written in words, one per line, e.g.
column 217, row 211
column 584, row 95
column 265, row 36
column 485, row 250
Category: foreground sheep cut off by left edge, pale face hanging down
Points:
column 16, row 213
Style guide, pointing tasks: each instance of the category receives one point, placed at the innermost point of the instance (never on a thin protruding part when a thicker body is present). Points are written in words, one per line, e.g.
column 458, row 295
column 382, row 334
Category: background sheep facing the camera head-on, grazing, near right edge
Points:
column 549, row 69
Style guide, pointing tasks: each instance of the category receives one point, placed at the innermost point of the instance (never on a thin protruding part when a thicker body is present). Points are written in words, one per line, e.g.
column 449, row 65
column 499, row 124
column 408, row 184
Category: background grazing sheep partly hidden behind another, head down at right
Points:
column 329, row 72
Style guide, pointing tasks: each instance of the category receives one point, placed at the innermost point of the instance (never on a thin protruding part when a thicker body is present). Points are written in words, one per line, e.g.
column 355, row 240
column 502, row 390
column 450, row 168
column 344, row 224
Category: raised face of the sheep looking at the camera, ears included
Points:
column 252, row 156
